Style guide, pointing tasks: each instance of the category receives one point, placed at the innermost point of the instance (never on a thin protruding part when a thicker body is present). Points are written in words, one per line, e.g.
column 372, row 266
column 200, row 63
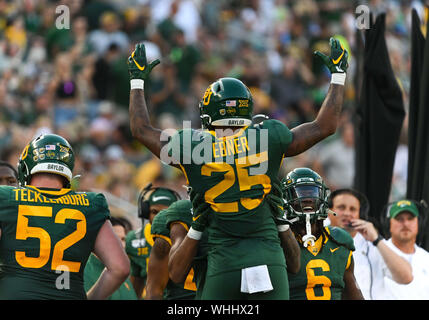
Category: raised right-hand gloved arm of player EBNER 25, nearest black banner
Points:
column 308, row 134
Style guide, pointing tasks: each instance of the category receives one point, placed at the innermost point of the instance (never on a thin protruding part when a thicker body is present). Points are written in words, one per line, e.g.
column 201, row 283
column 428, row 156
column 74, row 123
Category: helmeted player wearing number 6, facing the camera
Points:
column 326, row 252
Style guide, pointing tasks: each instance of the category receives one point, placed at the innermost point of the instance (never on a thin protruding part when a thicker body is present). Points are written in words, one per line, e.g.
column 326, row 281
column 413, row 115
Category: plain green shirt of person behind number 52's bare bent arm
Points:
column 94, row 267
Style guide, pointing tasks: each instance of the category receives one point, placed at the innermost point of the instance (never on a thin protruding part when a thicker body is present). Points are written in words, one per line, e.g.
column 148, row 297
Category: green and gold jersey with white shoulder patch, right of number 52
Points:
column 138, row 244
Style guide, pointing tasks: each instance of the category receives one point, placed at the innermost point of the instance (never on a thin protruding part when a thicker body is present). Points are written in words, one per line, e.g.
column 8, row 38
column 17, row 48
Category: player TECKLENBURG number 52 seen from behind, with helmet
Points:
column 48, row 230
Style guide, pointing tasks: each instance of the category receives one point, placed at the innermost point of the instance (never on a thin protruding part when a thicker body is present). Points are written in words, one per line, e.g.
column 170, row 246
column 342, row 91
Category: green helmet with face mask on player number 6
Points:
column 305, row 192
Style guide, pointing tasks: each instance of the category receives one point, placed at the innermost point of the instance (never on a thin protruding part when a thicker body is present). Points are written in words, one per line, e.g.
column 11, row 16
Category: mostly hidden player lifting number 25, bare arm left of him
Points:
column 158, row 262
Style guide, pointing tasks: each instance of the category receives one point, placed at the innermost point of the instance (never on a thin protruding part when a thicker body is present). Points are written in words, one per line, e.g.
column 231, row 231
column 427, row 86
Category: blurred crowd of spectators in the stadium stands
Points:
column 74, row 82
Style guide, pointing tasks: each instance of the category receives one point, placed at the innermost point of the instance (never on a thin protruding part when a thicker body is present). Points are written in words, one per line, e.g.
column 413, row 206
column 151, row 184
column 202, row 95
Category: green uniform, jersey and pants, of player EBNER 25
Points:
column 235, row 173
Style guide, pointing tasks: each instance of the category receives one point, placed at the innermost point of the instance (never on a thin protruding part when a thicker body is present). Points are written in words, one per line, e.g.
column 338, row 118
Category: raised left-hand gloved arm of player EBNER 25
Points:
column 140, row 125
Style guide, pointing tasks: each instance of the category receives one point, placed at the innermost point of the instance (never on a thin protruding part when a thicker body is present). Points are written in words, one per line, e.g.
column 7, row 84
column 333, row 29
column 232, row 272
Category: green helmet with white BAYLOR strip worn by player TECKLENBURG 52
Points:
column 48, row 153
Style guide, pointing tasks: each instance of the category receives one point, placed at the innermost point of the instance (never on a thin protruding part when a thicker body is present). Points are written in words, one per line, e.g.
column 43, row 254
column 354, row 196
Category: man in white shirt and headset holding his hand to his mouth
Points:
column 374, row 259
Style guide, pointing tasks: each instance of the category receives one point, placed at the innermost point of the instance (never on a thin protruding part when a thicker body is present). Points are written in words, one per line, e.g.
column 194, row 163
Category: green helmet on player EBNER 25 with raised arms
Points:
column 226, row 102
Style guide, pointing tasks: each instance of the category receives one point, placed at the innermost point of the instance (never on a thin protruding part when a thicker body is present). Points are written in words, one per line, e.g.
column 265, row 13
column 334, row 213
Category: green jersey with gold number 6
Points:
column 322, row 267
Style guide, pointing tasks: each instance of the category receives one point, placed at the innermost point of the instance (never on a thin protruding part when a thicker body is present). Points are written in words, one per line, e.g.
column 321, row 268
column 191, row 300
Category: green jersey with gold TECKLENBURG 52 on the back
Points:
column 46, row 238
